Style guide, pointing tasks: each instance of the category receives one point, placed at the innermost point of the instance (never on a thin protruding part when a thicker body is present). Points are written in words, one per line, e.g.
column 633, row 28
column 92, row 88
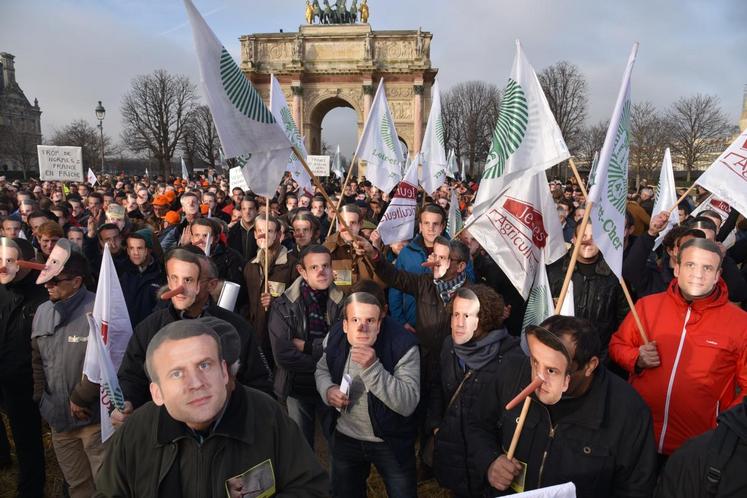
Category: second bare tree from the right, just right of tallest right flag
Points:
column 649, row 136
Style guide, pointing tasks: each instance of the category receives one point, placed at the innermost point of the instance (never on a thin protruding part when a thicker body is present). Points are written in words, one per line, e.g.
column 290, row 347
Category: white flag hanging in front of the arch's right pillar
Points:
column 379, row 145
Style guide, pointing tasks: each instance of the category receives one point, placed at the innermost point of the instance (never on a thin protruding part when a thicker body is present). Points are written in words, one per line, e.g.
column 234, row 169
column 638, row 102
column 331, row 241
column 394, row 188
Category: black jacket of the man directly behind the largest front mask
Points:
column 133, row 380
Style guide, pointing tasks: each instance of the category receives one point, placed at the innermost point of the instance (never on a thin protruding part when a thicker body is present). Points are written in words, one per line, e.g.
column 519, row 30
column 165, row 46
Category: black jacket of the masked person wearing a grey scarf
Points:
column 451, row 456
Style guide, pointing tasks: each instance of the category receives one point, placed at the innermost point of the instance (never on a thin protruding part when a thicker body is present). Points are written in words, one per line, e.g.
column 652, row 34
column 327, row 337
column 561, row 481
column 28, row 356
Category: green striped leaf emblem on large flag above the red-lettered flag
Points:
column 513, row 115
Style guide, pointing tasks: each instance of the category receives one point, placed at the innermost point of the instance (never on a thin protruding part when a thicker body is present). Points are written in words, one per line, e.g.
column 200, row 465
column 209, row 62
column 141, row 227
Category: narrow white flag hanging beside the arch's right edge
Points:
column 435, row 165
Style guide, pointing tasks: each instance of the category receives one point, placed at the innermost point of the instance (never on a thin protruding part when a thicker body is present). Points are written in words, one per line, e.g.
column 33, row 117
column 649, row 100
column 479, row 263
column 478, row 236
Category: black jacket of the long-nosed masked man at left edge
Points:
column 18, row 303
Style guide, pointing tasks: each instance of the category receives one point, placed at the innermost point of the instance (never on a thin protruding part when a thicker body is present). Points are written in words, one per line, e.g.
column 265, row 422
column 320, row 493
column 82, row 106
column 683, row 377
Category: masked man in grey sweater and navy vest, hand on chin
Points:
column 377, row 423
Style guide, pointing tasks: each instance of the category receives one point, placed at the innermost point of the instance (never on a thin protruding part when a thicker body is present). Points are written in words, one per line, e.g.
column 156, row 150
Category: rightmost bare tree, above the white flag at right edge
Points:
column 697, row 125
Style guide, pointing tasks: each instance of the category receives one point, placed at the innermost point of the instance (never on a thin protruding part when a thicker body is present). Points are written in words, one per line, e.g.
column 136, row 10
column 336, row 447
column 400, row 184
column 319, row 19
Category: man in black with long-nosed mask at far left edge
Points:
column 19, row 299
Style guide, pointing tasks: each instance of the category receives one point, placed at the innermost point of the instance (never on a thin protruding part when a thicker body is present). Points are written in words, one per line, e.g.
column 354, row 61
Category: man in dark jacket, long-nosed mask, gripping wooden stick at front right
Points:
column 583, row 425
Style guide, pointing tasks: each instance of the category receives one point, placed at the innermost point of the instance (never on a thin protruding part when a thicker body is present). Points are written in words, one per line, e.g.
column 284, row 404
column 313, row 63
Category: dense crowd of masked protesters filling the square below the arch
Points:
column 403, row 356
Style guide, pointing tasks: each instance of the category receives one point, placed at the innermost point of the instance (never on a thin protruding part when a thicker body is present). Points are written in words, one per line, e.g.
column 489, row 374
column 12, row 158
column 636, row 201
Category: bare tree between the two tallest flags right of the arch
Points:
column 565, row 90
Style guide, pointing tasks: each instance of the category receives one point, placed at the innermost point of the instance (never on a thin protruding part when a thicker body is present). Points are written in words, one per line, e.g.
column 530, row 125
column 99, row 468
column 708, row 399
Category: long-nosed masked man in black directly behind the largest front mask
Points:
column 193, row 277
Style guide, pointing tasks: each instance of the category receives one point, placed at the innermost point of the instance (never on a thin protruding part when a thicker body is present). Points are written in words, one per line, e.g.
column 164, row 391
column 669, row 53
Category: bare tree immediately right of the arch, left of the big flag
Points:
column 470, row 112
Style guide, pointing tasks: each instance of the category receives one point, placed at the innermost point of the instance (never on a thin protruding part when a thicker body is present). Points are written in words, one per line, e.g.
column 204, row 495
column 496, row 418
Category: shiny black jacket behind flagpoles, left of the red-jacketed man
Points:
column 597, row 294
